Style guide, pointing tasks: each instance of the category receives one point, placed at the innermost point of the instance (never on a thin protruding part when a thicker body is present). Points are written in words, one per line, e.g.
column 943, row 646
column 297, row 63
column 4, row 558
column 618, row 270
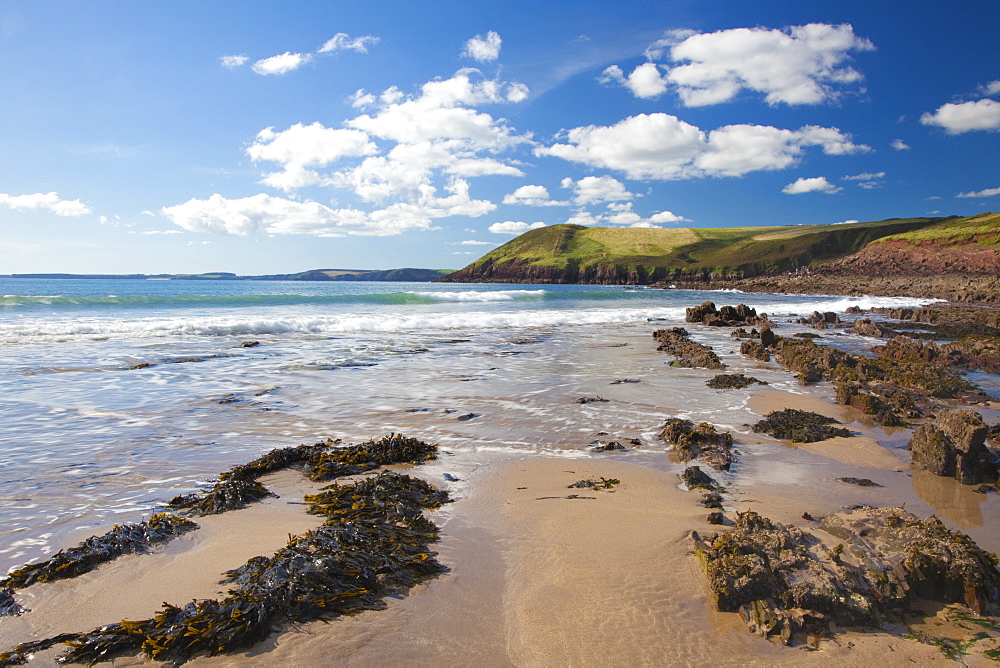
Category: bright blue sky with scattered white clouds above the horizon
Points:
column 265, row 137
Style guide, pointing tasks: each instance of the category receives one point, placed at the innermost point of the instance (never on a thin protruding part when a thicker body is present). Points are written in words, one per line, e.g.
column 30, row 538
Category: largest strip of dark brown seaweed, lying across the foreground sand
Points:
column 374, row 543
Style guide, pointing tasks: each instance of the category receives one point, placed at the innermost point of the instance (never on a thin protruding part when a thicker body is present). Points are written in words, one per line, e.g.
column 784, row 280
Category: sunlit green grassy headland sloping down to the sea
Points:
column 579, row 254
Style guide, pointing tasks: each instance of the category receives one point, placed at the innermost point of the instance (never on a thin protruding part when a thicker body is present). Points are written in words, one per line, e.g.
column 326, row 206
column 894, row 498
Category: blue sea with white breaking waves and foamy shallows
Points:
column 117, row 395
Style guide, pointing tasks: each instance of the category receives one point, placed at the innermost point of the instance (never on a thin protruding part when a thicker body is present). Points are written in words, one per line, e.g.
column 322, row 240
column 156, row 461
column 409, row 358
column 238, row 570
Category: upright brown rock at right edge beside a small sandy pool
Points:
column 955, row 447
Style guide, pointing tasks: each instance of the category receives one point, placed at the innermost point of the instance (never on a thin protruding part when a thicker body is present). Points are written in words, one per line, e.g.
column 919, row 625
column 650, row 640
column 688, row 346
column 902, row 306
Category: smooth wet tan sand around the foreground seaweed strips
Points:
column 537, row 579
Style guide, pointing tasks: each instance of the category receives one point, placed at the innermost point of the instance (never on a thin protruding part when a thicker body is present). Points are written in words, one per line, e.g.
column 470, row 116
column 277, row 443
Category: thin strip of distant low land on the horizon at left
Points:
column 400, row 275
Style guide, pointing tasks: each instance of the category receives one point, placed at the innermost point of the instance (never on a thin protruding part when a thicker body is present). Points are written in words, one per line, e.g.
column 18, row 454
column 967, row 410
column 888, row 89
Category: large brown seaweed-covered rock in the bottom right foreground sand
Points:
column 784, row 581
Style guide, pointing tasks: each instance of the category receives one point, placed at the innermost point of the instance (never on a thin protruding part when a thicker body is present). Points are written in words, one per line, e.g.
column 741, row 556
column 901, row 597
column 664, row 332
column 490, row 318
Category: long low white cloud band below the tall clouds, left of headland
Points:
column 262, row 213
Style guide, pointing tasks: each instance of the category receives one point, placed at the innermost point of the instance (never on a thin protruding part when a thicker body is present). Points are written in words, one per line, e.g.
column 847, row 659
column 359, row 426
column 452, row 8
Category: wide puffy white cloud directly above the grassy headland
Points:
column 661, row 146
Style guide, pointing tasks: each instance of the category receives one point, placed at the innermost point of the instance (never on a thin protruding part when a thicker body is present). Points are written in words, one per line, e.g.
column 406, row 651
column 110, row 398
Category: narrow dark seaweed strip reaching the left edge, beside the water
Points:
column 96, row 550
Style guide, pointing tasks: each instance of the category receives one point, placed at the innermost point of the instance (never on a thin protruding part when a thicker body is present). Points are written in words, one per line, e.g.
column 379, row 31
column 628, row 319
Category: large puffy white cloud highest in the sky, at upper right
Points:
column 799, row 65
